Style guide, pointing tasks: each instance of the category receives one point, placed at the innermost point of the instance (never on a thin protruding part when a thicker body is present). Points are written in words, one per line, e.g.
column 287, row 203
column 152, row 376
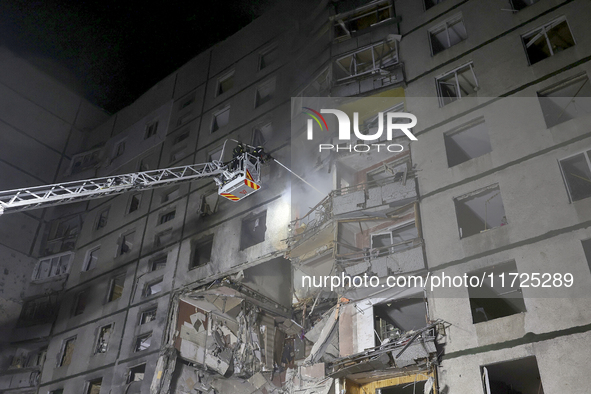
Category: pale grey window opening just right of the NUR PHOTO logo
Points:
column 467, row 142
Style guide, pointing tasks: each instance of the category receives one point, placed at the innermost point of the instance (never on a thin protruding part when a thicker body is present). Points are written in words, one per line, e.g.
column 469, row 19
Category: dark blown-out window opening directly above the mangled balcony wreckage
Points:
column 396, row 317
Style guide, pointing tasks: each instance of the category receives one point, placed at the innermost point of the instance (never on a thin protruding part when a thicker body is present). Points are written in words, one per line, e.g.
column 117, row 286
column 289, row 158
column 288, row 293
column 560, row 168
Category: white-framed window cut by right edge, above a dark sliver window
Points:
column 576, row 172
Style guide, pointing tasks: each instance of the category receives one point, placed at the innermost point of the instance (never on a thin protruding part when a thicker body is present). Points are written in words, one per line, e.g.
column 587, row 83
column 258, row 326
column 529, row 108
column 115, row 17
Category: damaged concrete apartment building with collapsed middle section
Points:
column 177, row 289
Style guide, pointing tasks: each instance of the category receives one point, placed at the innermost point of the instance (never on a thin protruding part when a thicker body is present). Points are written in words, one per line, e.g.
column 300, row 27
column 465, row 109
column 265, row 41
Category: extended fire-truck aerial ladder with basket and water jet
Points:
column 235, row 179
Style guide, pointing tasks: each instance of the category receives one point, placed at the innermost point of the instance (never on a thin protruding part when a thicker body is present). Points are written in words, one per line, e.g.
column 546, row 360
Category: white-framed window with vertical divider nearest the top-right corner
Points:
column 548, row 40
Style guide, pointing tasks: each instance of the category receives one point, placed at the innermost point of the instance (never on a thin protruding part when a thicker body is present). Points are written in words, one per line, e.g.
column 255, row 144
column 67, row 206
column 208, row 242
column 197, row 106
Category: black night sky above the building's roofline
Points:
column 113, row 51
